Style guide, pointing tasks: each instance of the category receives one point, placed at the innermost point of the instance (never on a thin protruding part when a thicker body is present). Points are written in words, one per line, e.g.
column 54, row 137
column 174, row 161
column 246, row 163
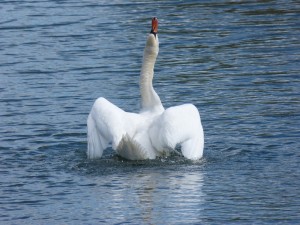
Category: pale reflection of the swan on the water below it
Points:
column 151, row 195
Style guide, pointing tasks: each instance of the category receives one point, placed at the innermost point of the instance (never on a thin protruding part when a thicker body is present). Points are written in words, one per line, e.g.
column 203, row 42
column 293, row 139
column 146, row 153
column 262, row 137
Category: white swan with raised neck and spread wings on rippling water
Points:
column 152, row 132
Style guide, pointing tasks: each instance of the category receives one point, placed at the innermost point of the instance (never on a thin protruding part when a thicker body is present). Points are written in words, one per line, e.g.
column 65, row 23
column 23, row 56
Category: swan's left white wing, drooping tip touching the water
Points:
column 105, row 125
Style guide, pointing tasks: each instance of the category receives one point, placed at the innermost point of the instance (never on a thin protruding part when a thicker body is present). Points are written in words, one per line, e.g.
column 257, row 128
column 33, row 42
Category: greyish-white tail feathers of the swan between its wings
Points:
column 130, row 149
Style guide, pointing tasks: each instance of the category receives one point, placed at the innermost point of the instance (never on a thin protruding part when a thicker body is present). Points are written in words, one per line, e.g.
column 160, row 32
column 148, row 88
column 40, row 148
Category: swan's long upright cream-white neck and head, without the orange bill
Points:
column 150, row 99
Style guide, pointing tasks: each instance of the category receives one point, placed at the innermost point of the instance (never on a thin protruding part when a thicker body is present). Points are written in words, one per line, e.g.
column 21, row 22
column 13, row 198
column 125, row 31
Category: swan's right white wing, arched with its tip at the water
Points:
column 179, row 125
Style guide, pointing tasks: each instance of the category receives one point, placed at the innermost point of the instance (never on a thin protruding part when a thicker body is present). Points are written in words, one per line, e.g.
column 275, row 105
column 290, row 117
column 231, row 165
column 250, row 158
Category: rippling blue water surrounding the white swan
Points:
column 237, row 61
